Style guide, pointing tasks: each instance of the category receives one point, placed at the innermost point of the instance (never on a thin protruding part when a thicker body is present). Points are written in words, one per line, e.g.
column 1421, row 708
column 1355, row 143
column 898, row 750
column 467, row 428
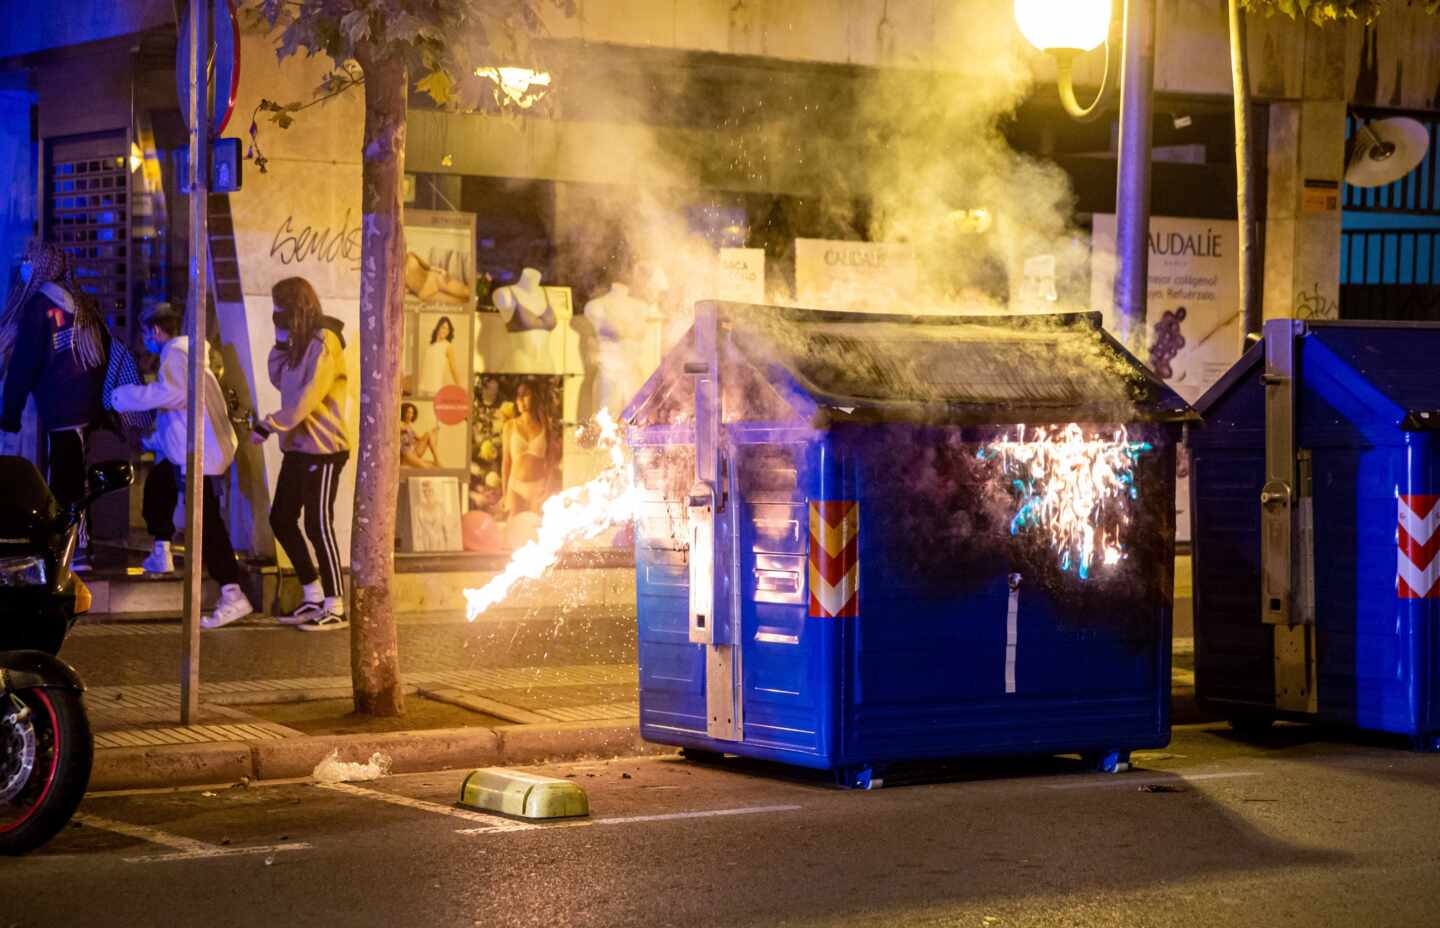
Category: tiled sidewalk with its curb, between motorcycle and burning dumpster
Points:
column 522, row 685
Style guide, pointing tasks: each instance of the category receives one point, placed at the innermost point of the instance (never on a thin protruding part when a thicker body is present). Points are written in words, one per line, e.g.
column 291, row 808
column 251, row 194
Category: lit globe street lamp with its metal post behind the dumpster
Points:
column 1071, row 28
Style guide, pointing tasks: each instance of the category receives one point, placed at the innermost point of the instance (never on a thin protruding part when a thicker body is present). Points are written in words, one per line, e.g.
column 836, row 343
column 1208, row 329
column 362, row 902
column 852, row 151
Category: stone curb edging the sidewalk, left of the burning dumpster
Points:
column 410, row 753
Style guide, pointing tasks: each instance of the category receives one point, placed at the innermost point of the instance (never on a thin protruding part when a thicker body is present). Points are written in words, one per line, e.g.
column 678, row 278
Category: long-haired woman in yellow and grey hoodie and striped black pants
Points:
column 309, row 368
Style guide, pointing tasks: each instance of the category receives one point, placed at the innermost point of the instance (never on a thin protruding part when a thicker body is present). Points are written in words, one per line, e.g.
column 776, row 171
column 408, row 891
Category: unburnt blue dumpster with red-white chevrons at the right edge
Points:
column 1315, row 499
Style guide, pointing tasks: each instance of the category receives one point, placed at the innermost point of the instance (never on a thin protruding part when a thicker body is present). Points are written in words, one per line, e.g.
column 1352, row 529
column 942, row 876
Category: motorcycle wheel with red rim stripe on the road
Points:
column 45, row 764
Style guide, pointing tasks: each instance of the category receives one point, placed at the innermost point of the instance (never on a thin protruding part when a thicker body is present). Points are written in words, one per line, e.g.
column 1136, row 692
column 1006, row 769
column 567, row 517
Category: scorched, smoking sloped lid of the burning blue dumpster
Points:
column 938, row 370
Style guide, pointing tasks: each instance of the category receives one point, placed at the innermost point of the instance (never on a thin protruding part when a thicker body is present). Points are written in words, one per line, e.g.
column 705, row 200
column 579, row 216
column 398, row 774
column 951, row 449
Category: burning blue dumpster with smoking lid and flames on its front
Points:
column 866, row 540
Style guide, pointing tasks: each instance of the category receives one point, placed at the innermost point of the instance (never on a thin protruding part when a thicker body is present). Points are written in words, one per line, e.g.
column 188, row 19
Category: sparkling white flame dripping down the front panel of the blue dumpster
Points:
column 1074, row 488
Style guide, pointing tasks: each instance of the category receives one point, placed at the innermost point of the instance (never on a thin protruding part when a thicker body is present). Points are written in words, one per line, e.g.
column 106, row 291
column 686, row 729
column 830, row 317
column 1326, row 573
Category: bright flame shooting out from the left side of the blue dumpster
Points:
column 578, row 514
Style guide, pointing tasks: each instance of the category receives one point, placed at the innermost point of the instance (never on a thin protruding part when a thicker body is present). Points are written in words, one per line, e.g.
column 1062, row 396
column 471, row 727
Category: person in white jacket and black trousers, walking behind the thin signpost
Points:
column 169, row 397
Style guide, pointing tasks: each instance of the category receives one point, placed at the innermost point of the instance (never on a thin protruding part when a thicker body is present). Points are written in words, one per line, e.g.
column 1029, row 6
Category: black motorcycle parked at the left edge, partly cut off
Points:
column 45, row 737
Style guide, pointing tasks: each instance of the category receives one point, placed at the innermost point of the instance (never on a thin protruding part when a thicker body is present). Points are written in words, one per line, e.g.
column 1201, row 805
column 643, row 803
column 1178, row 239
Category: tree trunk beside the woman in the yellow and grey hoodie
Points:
column 375, row 662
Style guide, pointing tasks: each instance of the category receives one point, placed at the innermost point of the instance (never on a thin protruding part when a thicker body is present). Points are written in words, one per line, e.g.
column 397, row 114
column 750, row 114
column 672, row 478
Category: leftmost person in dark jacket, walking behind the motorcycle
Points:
column 54, row 348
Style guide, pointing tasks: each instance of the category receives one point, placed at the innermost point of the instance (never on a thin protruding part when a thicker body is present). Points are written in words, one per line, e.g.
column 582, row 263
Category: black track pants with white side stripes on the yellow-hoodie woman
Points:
column 307, row 489
